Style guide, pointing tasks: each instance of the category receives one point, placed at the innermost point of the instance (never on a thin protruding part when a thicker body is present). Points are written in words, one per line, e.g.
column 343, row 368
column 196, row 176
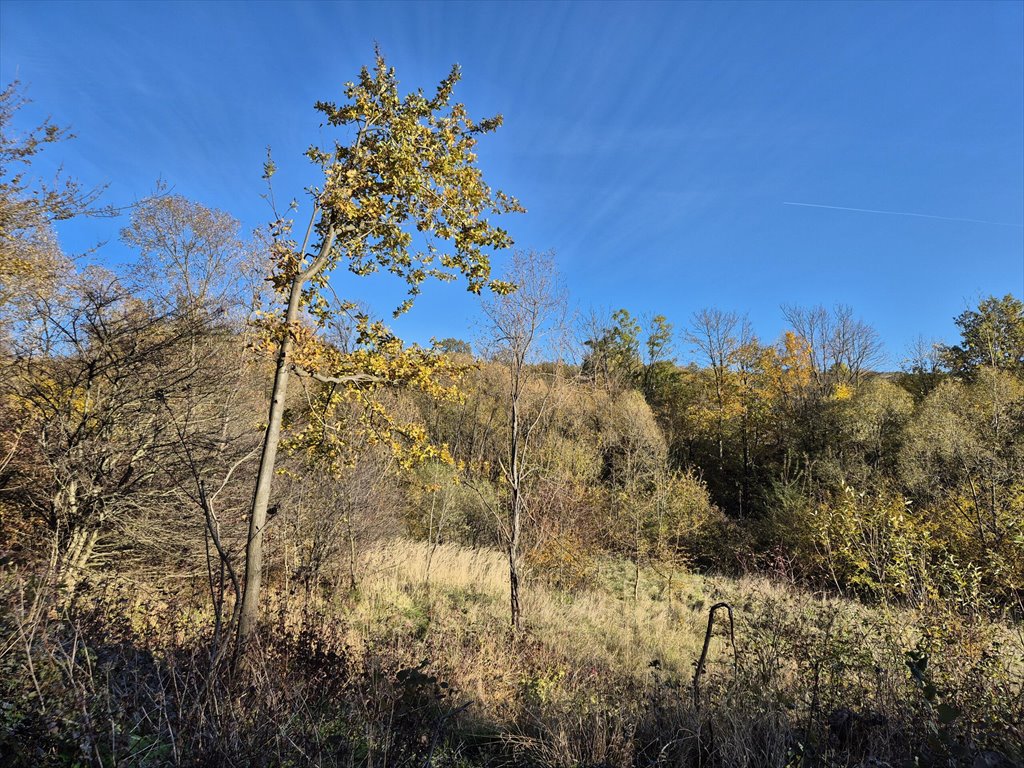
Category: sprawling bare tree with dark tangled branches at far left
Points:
column 95, row 373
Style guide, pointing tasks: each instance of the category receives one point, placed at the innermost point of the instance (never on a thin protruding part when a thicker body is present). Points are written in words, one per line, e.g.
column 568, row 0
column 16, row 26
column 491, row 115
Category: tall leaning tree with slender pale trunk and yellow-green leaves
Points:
column 402, row 192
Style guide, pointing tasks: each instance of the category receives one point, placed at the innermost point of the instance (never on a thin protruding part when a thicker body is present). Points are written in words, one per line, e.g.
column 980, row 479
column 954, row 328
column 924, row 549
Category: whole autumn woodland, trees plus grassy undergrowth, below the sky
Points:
column 243, row 524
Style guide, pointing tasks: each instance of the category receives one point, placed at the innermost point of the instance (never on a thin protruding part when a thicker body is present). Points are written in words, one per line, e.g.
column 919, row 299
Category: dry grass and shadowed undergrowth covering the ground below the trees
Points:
column 416, row 667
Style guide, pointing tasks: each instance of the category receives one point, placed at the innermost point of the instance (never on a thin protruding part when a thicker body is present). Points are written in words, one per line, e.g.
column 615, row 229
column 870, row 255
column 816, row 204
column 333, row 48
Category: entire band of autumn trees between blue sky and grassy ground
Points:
column 215, row 409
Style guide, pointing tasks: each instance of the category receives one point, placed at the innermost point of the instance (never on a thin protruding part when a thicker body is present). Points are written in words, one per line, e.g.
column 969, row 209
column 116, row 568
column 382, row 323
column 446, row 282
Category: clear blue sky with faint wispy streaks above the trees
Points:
column 655, row 146
